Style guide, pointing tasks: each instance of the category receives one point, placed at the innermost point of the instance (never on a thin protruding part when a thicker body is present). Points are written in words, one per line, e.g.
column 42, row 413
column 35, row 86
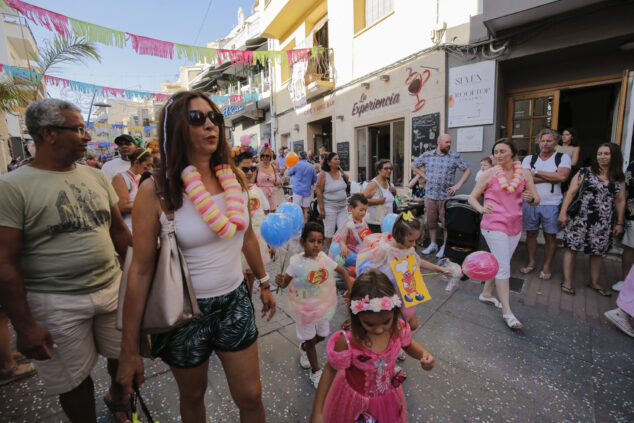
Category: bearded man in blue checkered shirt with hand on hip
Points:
column 439, row 167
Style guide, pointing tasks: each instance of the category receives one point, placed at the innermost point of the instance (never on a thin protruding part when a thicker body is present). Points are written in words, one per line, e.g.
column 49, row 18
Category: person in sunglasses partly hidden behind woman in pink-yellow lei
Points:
column 258, row 206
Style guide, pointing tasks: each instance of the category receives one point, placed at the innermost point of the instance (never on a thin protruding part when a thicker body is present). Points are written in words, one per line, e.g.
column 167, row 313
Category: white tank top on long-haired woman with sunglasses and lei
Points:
column 213, row 262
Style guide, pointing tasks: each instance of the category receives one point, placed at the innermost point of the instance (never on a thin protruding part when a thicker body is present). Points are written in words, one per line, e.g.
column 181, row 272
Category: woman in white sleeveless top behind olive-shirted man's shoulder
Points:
column 126, row 183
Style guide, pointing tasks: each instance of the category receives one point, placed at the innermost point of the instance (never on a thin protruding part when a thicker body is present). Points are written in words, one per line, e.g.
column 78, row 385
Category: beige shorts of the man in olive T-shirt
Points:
column 82, row 326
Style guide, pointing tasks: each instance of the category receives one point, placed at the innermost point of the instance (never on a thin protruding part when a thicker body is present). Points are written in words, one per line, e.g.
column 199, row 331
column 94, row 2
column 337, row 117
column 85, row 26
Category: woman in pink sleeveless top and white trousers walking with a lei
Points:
column 504, row 187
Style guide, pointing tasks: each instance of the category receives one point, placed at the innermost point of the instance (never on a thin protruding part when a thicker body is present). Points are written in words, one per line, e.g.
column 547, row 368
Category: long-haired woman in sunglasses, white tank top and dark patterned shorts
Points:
column 194, row 147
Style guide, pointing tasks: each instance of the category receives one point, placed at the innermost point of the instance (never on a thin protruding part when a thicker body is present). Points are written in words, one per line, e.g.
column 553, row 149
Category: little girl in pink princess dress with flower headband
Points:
column 367, row 383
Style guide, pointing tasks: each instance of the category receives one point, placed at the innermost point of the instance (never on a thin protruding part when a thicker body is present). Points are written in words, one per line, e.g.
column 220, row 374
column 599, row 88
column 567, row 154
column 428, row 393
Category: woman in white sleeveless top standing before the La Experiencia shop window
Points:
column 380, row 194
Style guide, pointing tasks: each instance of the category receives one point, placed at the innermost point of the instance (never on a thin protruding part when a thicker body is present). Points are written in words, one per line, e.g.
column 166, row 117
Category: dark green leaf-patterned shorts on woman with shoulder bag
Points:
column 226, row 323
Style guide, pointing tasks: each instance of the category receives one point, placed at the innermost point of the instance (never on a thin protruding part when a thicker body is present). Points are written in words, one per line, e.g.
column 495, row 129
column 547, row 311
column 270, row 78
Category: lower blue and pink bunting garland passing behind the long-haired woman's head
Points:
column 82, row 87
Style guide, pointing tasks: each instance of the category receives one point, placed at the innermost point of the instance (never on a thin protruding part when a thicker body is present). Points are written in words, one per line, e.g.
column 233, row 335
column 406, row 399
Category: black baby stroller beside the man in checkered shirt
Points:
column 462, row 223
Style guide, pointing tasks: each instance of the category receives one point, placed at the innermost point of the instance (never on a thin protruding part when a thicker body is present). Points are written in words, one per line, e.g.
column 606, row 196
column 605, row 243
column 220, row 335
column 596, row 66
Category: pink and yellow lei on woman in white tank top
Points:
column 225, row 226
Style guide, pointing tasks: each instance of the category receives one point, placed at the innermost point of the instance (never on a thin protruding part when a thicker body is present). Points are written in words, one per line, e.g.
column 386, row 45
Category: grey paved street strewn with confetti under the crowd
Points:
column 565, row 365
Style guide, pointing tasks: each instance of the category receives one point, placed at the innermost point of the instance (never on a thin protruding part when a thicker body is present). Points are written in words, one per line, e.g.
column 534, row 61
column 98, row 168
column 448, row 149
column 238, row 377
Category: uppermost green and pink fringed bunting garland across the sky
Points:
column 63, row 25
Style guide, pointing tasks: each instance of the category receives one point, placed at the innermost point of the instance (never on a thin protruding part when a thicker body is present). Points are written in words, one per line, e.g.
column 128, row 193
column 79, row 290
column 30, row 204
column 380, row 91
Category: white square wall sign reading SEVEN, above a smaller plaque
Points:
column 471, row 94
